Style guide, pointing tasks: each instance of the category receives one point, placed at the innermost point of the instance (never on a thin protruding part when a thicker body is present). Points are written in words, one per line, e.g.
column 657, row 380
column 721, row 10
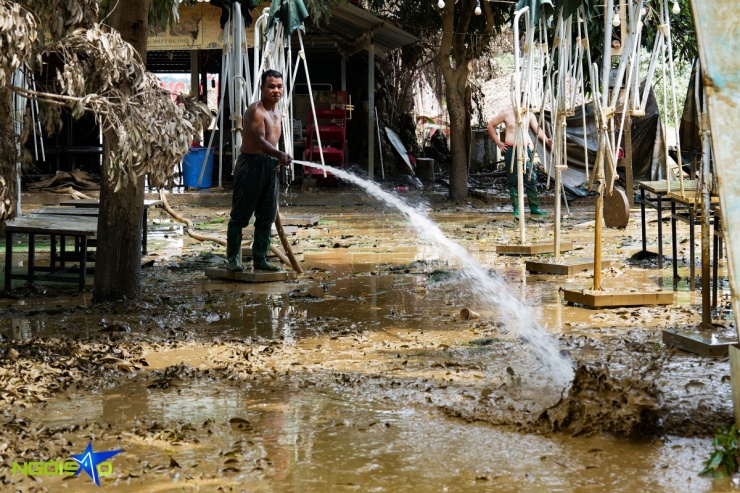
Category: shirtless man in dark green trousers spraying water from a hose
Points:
column 256, row 185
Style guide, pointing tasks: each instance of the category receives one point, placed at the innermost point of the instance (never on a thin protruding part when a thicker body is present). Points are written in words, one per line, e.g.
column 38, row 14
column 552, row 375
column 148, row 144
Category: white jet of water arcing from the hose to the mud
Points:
column 487, row 290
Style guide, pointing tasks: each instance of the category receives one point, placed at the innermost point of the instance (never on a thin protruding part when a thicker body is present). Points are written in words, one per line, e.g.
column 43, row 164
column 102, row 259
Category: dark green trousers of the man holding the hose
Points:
column 256, row 190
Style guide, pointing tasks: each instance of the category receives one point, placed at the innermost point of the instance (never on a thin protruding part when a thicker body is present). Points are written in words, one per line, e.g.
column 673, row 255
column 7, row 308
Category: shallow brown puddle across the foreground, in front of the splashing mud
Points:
column 285, row 437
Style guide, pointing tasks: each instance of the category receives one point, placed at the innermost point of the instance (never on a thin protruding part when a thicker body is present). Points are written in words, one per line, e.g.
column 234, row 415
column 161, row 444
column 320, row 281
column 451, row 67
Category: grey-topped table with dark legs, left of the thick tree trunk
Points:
column 81, row 228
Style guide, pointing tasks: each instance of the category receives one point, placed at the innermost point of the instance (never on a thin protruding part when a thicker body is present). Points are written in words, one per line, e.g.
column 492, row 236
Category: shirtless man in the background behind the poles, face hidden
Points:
column 508, row 118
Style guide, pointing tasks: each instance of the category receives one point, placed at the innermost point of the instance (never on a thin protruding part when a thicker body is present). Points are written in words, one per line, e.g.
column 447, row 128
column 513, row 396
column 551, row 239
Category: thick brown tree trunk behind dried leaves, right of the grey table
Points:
column 118, row 256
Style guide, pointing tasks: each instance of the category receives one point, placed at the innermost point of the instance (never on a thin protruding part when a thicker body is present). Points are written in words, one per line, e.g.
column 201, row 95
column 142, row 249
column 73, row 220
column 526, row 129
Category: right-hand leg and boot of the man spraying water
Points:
column 264, row 216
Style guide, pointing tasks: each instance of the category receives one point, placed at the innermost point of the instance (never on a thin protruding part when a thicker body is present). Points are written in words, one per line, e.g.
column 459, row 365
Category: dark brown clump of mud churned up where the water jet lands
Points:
column 596, row 402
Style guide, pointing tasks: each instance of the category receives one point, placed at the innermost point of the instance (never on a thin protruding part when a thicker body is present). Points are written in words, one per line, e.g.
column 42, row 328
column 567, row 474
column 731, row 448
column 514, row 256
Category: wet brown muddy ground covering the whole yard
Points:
column 361, row 374
